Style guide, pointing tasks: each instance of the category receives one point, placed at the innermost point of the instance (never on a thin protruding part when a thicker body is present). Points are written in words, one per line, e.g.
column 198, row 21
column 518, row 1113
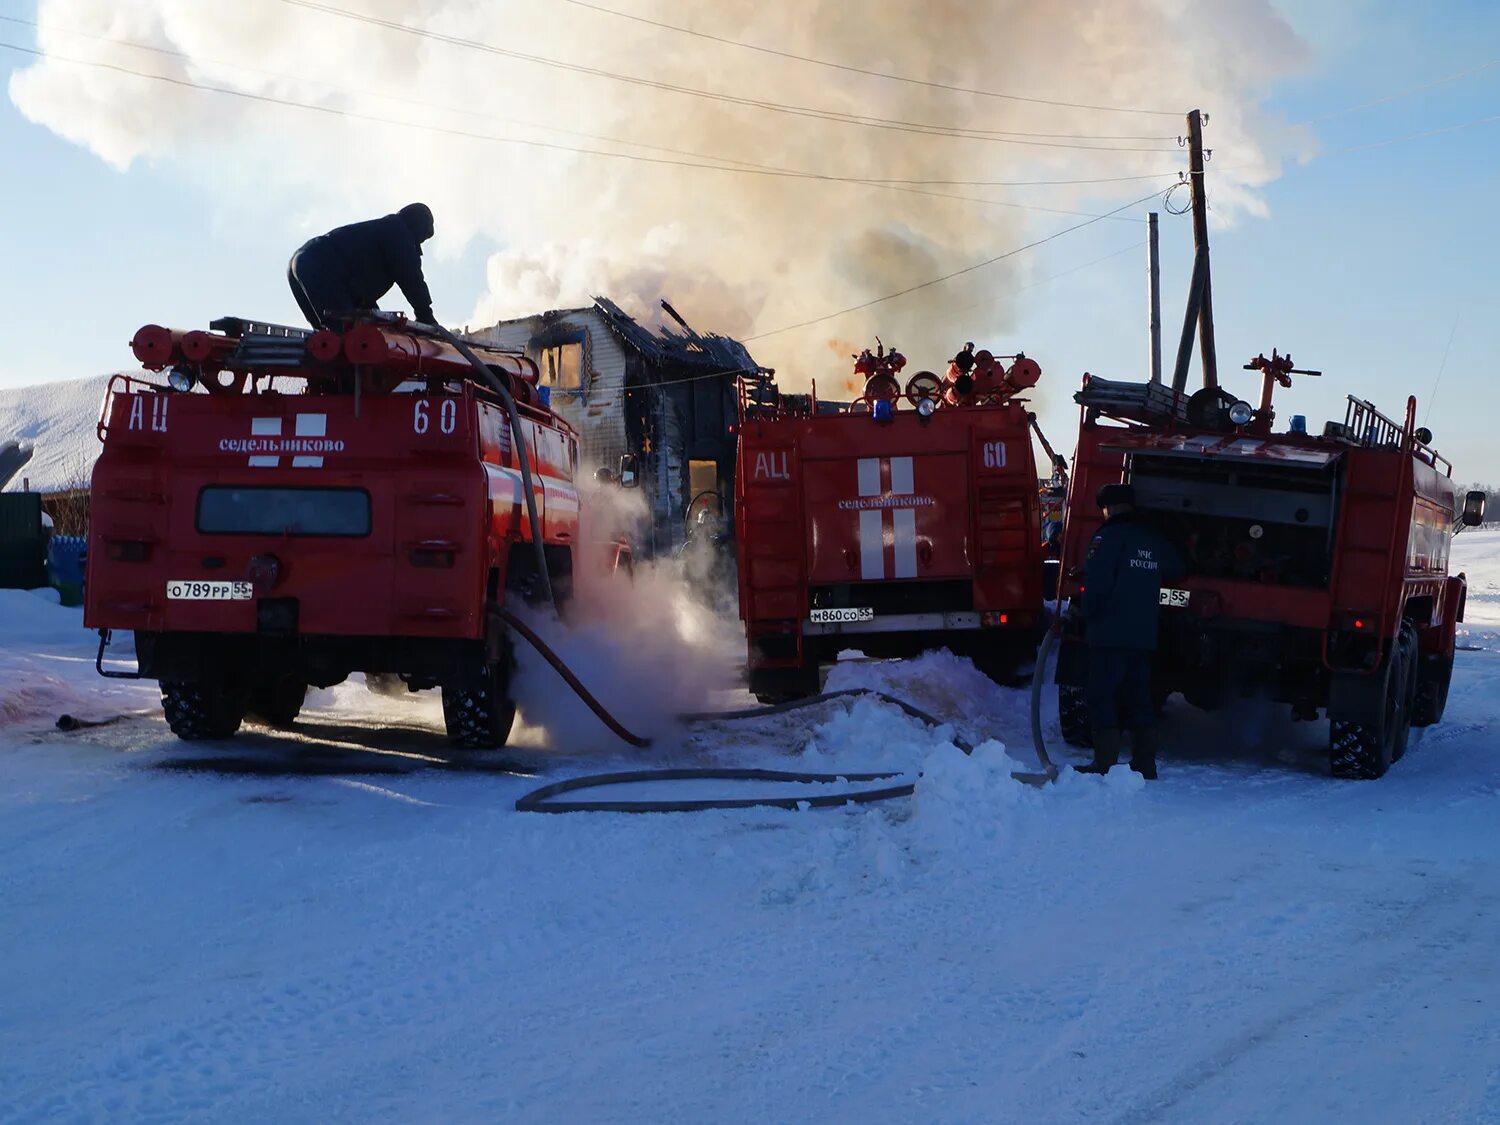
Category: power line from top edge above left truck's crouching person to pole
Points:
column 869, row 122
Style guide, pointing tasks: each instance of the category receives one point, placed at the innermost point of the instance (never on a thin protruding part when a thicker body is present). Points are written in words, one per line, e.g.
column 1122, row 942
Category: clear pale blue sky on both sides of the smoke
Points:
column 1364, row 266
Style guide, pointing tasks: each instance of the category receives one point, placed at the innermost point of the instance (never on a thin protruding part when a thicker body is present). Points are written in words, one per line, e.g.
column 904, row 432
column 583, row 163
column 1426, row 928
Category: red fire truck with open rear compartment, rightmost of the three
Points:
column 1316, row 563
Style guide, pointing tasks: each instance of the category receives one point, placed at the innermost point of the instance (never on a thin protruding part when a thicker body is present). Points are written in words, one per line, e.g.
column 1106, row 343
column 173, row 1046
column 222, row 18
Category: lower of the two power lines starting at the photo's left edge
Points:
column 467, row 134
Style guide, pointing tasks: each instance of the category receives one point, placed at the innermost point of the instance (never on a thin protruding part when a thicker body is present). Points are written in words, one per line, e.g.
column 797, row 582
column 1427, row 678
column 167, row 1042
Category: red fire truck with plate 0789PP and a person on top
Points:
column 289, row 508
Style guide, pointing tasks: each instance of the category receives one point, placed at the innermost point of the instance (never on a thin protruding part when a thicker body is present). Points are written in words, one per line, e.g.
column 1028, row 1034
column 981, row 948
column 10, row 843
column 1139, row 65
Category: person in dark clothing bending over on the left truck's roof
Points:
column 352, row 268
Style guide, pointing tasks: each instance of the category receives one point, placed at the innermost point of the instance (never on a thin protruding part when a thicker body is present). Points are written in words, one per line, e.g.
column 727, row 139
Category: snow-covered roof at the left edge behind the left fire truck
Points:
column 58, row 421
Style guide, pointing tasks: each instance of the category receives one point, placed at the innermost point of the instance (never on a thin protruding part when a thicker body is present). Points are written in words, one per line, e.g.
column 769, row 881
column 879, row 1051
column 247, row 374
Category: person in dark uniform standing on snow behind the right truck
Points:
column 1127, row 566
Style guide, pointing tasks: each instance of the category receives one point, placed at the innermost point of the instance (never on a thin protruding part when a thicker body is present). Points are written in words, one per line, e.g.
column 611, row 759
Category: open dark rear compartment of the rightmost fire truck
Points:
column 1243, row 521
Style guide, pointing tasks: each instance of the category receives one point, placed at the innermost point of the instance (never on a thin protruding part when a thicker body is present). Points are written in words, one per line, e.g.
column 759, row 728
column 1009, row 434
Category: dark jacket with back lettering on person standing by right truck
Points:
column 1123, row 578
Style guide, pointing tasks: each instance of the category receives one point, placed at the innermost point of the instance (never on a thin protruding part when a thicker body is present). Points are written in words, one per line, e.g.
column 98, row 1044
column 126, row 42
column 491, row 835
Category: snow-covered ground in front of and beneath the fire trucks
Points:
column 341, row 926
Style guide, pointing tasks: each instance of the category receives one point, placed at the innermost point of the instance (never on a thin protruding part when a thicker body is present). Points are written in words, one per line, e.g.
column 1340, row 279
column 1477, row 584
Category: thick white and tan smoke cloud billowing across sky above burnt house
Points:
column 737, row 254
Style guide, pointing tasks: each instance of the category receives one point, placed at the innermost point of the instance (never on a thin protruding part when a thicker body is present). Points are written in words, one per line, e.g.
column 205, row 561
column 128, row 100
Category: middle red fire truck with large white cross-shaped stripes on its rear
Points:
column 902, row 521
